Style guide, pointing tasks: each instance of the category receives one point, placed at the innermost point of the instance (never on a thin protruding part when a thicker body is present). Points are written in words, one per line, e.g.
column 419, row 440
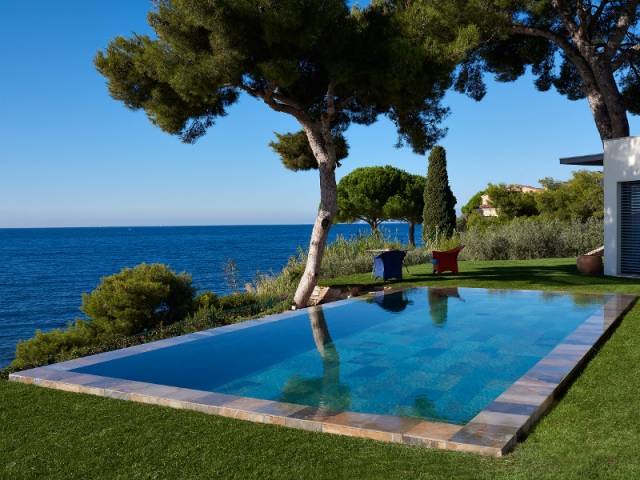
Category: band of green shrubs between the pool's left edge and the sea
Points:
column 150, row 302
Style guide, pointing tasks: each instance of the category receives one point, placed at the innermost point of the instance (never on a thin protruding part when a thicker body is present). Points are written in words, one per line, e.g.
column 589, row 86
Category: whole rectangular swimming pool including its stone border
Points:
column 439, row 357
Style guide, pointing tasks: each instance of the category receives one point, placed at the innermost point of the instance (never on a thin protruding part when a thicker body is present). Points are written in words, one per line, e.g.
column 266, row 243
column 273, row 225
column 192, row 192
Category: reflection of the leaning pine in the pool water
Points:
column 325, row 391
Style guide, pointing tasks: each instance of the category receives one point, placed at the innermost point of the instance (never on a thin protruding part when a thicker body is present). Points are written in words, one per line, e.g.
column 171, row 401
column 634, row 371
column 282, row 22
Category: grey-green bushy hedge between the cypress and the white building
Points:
column 528, row 238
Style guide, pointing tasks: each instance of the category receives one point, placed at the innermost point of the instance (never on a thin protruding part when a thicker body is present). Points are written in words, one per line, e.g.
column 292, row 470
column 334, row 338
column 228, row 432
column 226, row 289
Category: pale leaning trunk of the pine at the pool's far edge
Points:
column 324, row 151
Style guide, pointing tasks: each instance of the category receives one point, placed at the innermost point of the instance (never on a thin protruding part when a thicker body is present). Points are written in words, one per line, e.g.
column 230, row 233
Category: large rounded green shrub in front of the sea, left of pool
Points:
column 138, row 298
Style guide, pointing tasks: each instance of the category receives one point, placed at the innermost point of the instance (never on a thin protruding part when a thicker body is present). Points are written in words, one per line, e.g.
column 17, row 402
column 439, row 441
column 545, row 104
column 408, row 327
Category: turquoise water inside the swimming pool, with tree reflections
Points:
column 435, row 353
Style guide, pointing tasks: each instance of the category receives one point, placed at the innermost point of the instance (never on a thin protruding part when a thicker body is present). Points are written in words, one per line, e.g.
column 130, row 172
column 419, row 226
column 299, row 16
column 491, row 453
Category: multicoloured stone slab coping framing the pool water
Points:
column 494, row 431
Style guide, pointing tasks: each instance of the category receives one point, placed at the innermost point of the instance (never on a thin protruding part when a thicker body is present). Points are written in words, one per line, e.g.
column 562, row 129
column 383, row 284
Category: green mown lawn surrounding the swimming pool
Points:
column 592, row 433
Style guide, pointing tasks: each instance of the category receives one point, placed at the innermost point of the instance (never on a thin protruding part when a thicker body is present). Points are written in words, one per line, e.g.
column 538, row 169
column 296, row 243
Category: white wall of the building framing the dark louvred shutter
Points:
column 621, row 164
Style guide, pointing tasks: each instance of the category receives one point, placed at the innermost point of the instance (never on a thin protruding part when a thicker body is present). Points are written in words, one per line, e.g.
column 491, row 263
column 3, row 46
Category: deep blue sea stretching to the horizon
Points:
column 43, row 272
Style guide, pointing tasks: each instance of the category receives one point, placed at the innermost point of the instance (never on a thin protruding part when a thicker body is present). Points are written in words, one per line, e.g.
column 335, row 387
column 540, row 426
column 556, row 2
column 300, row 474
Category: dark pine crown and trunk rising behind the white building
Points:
column 583, row 49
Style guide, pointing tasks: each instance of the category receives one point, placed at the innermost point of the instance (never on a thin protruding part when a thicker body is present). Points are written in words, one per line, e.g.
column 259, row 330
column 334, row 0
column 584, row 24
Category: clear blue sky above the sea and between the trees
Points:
column 72, row 156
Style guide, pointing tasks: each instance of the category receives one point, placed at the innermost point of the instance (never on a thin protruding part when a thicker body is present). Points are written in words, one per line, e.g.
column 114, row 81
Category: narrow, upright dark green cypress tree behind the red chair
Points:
column 439, row 202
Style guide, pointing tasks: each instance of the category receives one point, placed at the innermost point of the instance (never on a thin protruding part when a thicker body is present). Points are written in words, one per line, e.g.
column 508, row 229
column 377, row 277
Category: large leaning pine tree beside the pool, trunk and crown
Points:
column 318, row 61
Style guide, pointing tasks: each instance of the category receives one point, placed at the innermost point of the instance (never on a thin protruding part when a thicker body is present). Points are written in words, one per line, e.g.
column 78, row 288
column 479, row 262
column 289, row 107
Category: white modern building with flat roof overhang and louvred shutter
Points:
column 621, row 161
